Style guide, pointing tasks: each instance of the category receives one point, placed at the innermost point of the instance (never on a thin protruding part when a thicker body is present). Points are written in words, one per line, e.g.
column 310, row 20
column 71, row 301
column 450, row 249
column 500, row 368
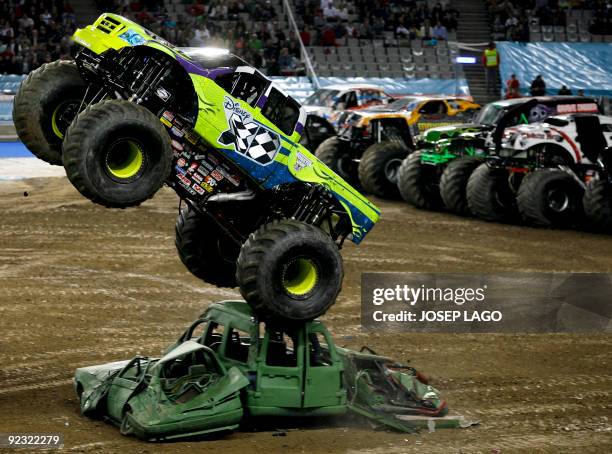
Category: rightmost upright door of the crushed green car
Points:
column 323, row 384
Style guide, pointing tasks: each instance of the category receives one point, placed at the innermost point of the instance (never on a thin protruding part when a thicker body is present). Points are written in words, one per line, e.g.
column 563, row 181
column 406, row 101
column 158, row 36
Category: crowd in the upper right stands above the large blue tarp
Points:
column 511, row 18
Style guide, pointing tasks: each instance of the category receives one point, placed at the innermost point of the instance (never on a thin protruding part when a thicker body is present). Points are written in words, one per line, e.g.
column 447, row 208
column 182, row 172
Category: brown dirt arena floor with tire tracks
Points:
column 81, row 285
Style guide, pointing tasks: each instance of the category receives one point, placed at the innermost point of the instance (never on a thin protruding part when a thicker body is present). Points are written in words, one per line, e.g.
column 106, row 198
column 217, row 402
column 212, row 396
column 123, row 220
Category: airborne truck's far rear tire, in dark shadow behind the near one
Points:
column 205, row 250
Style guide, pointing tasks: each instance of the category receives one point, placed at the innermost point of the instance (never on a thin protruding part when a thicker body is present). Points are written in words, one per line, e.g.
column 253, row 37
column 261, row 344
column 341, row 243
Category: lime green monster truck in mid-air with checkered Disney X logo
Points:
column 133, row 112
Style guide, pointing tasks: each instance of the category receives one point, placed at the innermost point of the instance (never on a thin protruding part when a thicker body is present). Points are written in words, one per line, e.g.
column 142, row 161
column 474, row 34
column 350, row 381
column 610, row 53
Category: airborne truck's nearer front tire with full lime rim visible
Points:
column 117, row 153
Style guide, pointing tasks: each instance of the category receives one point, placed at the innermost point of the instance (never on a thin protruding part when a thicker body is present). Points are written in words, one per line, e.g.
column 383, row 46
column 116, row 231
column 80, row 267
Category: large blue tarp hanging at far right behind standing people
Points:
column 586, row 66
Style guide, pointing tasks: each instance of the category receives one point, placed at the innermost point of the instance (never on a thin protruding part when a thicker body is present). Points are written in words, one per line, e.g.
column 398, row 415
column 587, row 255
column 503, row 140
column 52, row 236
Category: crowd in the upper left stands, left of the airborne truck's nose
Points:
column 33, row 32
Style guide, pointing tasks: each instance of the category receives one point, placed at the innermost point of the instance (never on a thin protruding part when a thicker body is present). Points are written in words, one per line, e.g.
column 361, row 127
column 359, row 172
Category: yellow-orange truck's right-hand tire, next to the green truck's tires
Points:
column 379, row 168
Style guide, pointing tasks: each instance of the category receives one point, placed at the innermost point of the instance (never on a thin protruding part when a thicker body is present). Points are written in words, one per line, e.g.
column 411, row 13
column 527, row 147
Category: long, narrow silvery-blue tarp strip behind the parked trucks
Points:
column 300, row 87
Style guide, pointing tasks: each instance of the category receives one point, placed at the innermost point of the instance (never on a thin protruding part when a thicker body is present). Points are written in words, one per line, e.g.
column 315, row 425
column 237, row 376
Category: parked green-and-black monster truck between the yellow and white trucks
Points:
column 436, row 175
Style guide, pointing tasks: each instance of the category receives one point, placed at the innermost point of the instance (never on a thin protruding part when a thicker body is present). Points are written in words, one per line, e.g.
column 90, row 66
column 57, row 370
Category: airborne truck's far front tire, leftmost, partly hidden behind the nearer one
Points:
column 45, row 105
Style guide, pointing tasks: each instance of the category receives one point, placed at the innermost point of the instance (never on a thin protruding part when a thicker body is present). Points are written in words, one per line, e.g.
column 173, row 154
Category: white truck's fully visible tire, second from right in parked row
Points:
column 550, row 198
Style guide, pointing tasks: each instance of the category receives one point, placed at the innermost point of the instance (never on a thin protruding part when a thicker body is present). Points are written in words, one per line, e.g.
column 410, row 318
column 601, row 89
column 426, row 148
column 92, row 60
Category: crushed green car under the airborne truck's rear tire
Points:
column 228, row 366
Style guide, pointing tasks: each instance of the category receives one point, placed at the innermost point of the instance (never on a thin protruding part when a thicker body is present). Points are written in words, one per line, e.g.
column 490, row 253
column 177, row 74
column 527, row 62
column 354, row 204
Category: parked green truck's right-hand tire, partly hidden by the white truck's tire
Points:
column 453, row 183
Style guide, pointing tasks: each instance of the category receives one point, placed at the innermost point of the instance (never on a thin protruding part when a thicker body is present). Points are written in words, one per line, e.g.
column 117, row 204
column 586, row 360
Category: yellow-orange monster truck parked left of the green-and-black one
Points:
column 372, row 143
